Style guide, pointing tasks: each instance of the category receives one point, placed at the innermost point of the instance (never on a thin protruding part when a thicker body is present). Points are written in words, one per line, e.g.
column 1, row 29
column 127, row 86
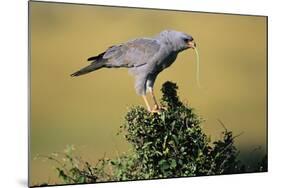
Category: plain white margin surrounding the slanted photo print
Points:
column 13, row 93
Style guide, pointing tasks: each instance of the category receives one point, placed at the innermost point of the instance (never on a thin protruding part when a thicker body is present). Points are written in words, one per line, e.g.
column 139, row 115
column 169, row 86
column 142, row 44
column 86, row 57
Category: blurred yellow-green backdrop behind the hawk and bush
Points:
column 87, row 111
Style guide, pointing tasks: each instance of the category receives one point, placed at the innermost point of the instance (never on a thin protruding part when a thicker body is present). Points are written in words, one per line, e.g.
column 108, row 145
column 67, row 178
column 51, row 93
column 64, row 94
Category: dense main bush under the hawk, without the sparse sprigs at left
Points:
column 172, row 143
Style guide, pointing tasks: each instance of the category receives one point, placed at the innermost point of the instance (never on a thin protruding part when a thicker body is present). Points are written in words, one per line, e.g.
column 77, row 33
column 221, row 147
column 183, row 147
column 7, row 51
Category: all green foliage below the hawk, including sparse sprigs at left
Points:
column 169, row 144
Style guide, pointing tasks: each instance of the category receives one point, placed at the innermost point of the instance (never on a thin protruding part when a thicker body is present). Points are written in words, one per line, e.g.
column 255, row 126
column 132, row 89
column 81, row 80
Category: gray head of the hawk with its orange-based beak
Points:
column 179, row 41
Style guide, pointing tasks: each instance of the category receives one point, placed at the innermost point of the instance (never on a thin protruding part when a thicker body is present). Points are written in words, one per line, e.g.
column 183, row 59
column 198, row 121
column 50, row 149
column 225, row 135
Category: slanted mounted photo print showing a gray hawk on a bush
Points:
column 124, row 94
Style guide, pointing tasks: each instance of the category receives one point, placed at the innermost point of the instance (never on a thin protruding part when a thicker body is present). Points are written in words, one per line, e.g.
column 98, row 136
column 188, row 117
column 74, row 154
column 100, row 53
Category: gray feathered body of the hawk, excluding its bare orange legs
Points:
column 144, row 57
